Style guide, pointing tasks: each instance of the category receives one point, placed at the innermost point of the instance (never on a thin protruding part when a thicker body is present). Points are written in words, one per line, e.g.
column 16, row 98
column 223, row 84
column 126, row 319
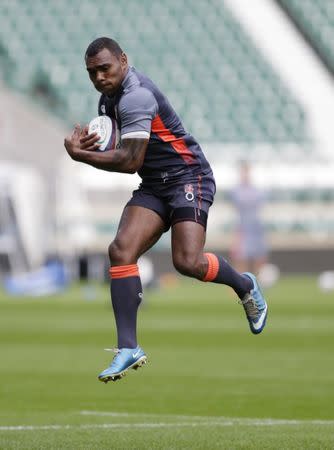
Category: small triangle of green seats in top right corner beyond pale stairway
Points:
column 315, row 19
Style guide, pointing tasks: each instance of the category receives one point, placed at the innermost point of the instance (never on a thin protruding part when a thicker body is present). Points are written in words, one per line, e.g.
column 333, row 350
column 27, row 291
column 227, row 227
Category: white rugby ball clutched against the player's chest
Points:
column 106, row 128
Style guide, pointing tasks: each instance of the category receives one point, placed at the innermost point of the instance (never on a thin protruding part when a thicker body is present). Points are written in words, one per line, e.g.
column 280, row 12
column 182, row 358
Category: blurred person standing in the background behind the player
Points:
column 249, row 251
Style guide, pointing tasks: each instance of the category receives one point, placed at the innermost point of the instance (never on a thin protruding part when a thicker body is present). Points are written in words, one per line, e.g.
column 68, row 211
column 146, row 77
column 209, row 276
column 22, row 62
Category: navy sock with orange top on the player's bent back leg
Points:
column 220, row 271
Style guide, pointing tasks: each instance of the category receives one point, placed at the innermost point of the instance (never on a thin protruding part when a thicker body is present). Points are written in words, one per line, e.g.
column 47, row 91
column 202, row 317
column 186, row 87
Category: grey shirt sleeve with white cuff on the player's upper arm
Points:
column 136, row 110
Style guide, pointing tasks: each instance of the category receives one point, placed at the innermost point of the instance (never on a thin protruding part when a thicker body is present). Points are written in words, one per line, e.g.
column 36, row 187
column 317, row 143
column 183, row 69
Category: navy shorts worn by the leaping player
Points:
column 185, row 199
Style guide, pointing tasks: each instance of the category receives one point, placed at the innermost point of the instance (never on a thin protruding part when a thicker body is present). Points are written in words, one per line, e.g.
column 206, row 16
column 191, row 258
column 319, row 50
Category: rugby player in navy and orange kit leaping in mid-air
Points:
column 176, row 192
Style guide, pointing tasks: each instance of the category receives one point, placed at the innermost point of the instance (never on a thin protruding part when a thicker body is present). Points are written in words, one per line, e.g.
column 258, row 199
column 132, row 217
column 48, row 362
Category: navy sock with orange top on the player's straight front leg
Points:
column 126, row 294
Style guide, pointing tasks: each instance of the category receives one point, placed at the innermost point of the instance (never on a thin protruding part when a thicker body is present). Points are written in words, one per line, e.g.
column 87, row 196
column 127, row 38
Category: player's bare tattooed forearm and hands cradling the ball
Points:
column 127, row 159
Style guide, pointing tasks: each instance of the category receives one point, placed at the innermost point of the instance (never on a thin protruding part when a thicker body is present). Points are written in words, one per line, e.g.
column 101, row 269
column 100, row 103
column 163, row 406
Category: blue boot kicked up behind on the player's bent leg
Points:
column 255, row 306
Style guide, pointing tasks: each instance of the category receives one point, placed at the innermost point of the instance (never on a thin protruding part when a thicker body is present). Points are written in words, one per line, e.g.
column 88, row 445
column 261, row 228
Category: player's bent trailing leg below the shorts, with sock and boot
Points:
column 188, row 238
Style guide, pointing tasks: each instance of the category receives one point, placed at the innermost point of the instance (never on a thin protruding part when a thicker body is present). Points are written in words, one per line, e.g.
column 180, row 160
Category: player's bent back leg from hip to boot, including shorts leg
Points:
column 190, row 202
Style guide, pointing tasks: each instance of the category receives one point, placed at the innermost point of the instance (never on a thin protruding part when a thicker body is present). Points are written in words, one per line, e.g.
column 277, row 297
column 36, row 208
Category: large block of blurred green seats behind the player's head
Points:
column 222, row 87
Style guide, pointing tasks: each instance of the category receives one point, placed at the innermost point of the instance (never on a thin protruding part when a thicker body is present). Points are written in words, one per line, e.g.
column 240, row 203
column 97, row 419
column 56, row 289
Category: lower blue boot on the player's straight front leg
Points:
column 125, row 359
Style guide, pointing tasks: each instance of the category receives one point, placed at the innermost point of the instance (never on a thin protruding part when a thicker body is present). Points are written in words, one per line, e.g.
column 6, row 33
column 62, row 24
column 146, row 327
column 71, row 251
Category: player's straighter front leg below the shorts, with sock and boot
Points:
column 138, row 230
